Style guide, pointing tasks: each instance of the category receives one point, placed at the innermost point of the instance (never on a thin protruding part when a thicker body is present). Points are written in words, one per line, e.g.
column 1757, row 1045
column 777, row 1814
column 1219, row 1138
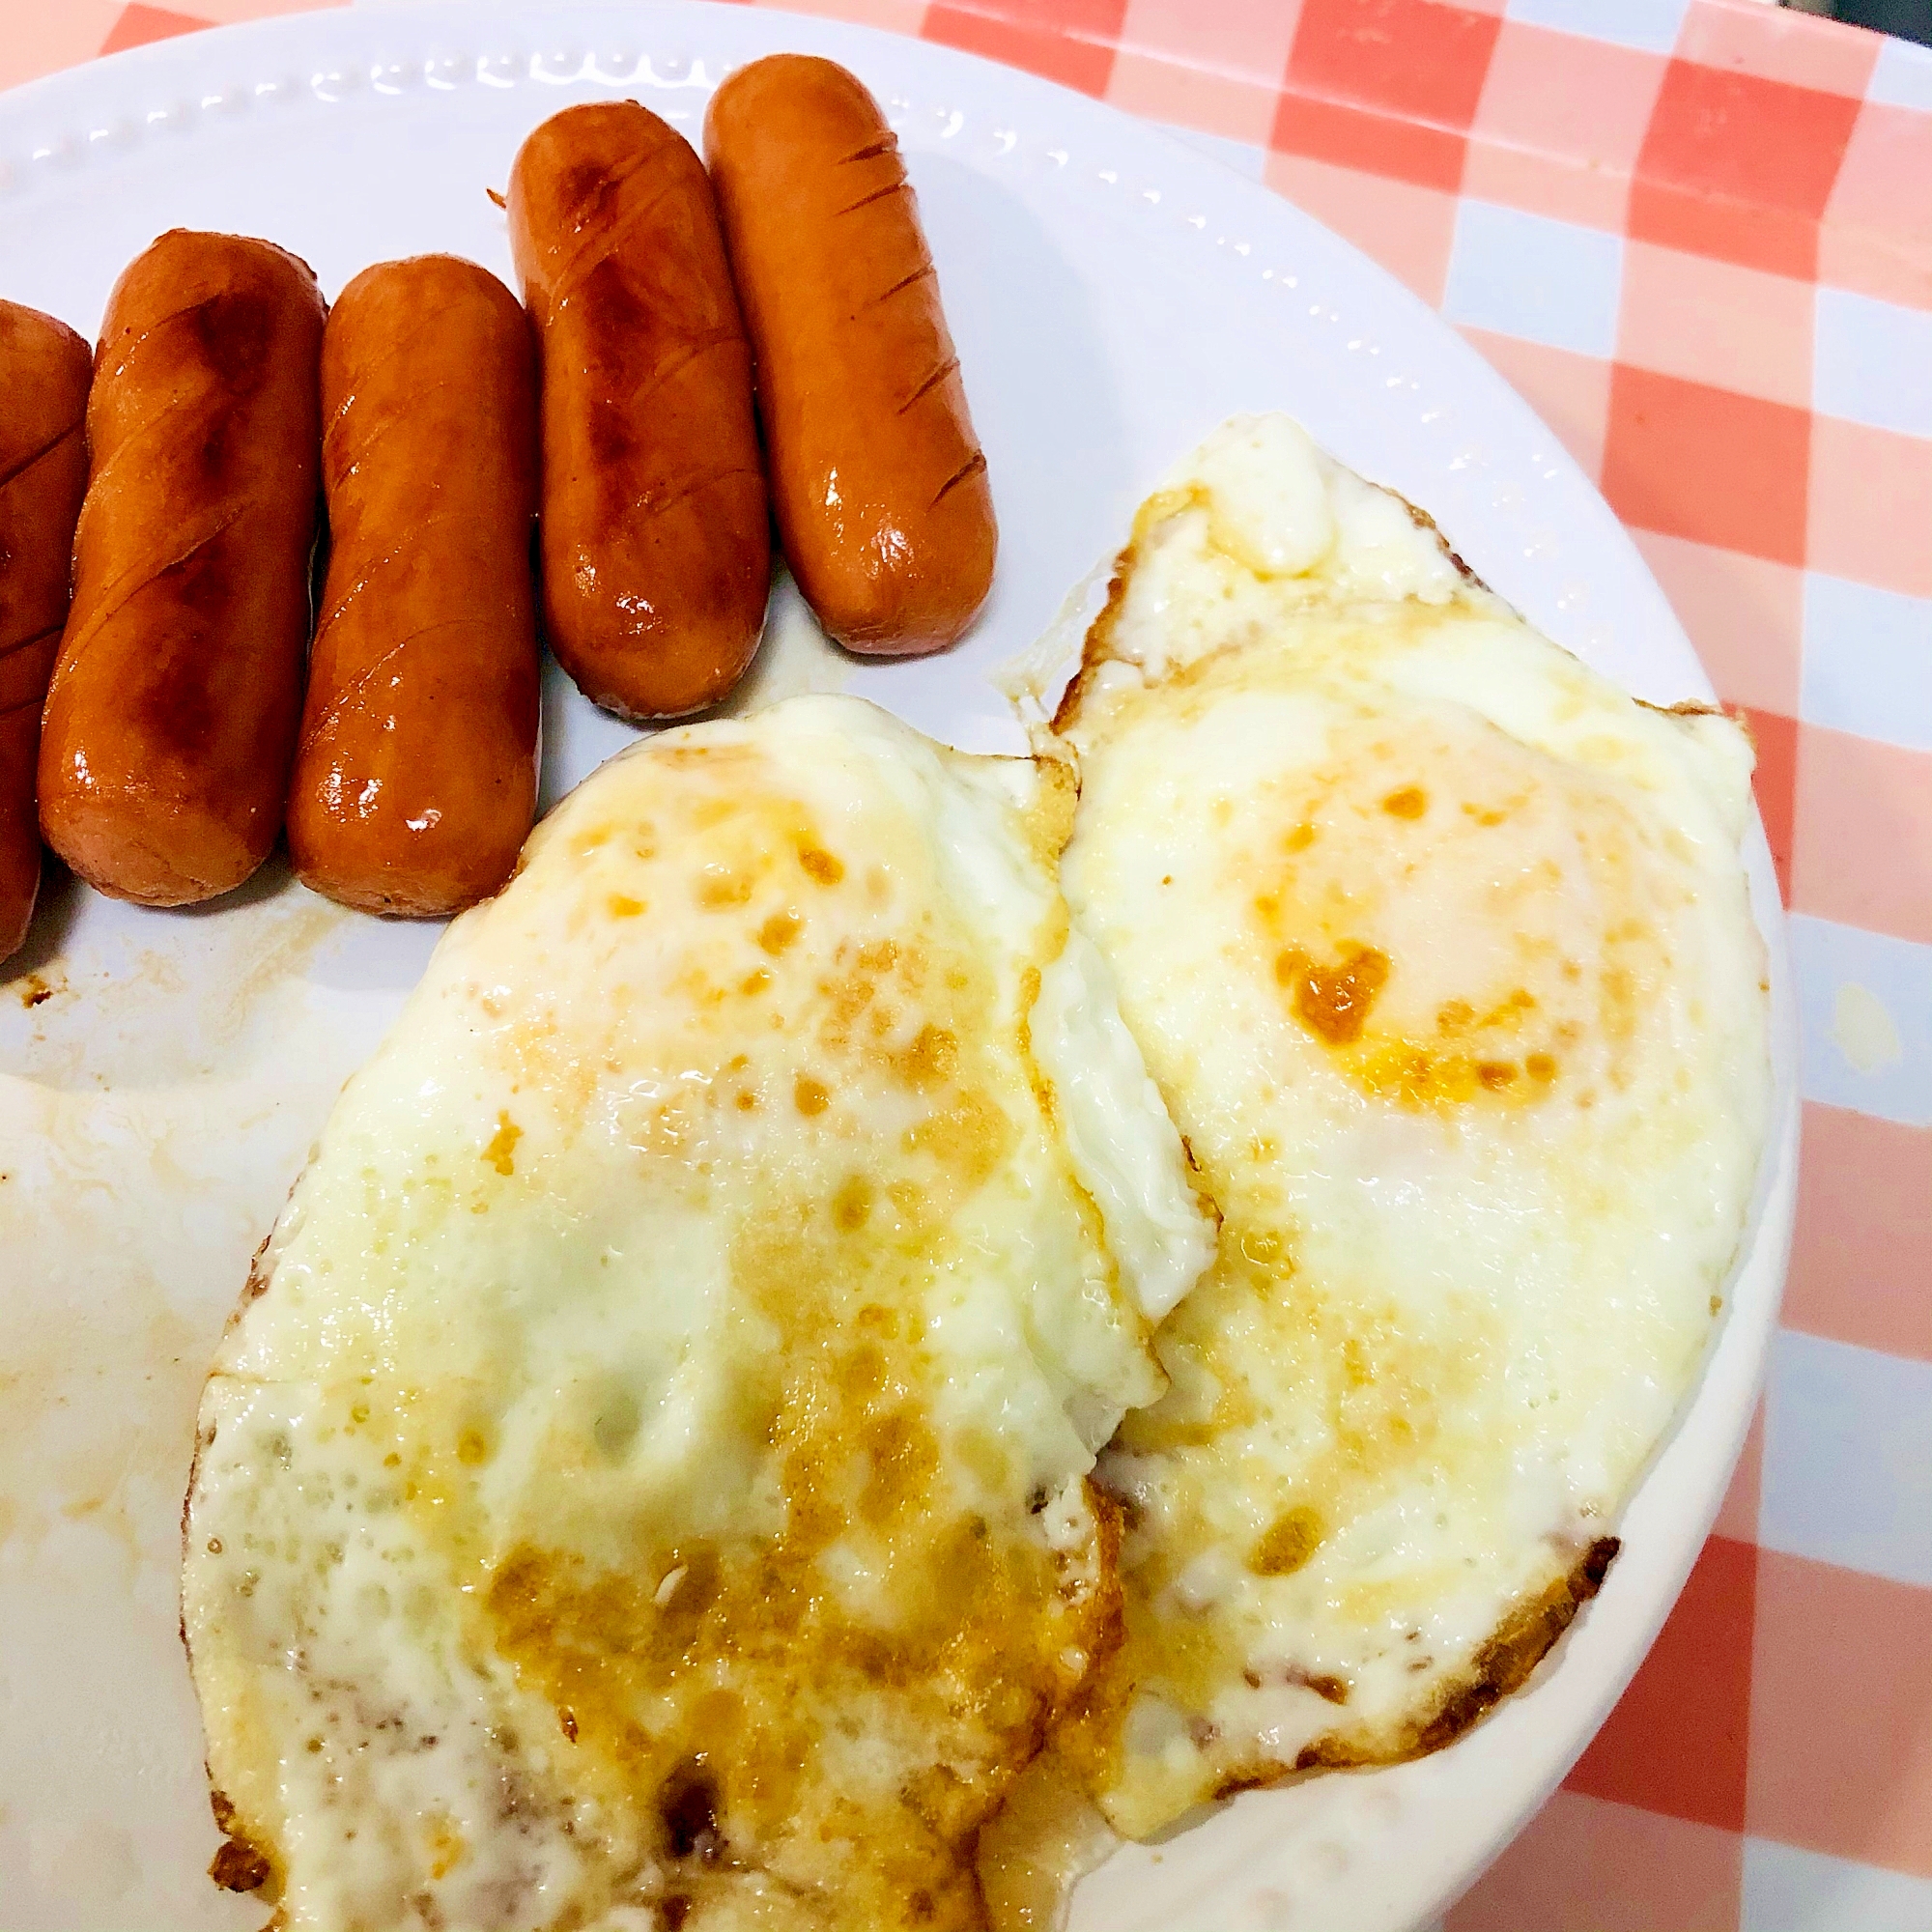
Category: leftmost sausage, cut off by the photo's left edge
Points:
column 43, row 470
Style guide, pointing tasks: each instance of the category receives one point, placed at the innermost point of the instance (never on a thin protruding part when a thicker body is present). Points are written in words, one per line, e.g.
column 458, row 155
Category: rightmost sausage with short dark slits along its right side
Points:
column 876, row 476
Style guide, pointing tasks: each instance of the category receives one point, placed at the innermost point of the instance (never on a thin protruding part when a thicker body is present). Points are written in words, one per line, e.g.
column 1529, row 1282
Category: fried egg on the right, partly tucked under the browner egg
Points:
column 1438, row 948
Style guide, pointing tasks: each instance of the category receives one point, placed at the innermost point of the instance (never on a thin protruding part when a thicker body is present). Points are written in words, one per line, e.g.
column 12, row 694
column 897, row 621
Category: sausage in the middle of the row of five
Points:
column 416, row 772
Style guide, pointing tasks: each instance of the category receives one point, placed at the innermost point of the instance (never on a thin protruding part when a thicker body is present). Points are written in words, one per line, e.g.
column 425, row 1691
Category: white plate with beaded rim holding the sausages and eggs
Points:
column 1114, row 297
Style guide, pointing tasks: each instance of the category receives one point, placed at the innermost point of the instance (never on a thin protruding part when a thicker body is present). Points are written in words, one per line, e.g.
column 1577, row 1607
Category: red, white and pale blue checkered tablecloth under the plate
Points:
column 1697, row 235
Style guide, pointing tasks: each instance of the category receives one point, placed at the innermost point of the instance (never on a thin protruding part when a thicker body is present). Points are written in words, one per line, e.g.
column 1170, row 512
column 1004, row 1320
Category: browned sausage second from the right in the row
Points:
column 656, row 536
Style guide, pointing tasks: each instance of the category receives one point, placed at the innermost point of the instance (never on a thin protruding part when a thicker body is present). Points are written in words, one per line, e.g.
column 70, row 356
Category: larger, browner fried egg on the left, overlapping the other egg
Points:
column 646, row 1485
